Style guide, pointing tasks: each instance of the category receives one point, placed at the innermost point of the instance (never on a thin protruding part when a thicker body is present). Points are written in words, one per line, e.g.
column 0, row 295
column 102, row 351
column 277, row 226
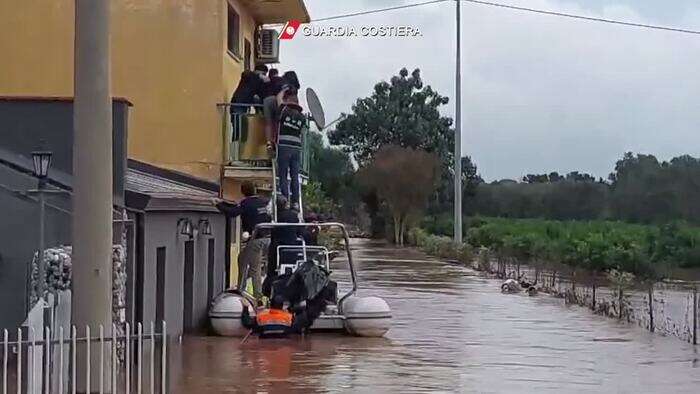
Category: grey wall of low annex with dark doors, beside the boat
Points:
column 161, row 231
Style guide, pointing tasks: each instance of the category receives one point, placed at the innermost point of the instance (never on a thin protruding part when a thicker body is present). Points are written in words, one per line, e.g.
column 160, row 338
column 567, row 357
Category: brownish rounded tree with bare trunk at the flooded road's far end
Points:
column 404, row 178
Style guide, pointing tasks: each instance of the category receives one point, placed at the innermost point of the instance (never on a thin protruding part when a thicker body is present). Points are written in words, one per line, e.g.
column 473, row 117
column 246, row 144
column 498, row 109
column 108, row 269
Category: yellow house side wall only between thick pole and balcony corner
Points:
column 165, row 61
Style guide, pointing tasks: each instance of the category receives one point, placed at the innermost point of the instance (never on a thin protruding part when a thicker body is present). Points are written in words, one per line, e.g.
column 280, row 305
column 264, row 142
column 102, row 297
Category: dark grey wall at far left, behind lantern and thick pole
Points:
column 26, row 125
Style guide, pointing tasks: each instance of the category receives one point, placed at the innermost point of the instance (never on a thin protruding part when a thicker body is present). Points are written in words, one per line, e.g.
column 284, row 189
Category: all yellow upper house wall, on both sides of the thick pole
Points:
column 169, row 58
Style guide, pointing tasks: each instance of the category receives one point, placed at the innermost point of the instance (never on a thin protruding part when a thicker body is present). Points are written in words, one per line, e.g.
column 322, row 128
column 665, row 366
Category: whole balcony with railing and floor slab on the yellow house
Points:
column 245, row 145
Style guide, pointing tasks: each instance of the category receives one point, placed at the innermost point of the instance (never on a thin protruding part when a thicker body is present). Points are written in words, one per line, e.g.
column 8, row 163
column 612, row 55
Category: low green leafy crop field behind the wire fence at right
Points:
column 646, row 251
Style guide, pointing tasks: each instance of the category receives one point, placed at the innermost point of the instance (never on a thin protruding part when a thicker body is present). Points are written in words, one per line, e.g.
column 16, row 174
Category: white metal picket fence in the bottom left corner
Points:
column 60, row 362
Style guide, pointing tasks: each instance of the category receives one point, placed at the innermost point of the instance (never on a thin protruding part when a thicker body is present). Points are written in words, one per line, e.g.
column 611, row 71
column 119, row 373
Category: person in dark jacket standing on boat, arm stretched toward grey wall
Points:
column 253, row 211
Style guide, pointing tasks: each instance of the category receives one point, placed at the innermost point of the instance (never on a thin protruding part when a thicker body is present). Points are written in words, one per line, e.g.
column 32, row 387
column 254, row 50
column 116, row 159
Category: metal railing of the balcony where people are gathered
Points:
column 244, row 138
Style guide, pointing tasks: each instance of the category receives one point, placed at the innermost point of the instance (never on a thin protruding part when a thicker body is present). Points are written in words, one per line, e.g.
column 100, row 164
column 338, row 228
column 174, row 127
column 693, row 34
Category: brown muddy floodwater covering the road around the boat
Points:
column 452, row 332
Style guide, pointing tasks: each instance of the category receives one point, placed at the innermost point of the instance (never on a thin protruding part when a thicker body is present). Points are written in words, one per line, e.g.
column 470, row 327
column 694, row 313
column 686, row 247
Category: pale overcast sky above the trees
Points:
column 540, row 93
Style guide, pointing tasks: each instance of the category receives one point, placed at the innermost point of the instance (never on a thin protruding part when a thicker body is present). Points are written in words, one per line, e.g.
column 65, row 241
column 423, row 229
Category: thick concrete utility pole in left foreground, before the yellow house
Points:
column 92, row 181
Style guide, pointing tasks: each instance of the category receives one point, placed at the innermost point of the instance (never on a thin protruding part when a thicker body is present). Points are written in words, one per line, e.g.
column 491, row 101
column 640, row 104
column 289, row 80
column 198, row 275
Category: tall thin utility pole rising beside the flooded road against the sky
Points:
column 458, row 131
